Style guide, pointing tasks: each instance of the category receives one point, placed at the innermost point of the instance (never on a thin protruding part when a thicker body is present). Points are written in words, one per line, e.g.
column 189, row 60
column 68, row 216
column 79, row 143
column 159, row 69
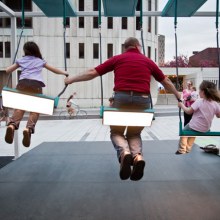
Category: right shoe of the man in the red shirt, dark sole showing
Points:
column 138, row 168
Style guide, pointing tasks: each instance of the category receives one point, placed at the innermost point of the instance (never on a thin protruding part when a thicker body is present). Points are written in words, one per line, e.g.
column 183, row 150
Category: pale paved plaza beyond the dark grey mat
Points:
column 163, row 128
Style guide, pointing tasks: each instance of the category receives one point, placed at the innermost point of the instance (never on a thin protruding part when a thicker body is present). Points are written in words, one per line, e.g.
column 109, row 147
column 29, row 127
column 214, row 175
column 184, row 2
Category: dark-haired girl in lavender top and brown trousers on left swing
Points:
column 30, row 80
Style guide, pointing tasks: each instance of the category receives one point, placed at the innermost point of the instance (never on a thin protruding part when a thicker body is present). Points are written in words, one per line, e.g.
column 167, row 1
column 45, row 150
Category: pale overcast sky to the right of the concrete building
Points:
column 193, row 33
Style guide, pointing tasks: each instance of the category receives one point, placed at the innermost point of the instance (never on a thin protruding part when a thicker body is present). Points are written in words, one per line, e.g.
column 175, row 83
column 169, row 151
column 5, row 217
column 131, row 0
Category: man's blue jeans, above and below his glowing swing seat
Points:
column 129, row 139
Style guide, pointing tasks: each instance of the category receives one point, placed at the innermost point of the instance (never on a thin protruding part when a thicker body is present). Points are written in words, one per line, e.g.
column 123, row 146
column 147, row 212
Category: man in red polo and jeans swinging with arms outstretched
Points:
column 132, row 72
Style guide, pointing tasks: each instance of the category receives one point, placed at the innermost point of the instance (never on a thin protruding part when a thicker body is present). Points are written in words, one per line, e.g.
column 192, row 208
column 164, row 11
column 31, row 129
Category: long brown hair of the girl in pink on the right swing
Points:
column 210, row 90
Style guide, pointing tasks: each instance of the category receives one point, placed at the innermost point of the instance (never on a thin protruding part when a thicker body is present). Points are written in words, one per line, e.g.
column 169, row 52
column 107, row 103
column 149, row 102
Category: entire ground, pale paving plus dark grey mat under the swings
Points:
column 71, row 172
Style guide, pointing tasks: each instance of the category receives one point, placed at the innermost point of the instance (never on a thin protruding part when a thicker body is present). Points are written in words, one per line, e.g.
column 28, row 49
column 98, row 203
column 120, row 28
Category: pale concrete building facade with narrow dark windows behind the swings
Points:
column 82, row 46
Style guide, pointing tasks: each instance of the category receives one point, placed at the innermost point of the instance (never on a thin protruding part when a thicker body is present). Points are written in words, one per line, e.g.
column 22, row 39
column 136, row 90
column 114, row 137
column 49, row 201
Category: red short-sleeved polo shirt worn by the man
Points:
column 132, row 71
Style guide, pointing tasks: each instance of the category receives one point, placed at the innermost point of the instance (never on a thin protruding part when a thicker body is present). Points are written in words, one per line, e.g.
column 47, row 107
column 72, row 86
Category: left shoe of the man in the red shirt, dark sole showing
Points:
column 125, row 168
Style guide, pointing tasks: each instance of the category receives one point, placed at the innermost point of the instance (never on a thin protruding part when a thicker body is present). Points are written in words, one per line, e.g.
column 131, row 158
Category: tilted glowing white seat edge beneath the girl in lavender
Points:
column 27, row 102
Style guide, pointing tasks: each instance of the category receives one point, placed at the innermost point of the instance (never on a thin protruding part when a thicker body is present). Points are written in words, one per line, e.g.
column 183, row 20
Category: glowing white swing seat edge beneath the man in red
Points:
column 127, row 118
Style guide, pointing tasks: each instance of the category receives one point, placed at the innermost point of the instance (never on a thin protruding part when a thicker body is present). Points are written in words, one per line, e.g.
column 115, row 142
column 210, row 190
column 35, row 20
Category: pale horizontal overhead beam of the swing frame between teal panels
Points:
column 95, row 13
